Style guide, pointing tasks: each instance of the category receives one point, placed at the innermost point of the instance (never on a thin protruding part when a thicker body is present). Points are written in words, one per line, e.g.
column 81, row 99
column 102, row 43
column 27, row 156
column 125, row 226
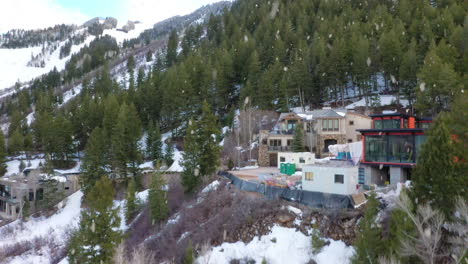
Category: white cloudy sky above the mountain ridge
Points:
column 32, row 14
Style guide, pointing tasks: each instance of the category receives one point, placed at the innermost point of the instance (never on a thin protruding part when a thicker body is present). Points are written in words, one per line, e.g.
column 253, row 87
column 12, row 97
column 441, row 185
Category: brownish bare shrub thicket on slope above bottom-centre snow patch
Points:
column 216, row 215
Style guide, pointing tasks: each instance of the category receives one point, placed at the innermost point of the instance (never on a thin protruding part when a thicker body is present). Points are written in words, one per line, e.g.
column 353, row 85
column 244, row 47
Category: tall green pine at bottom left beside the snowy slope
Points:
column 98, row 233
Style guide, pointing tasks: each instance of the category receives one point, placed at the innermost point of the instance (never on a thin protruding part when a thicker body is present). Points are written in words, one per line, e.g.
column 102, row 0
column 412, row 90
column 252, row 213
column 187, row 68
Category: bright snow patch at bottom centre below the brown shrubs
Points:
column 281, row 245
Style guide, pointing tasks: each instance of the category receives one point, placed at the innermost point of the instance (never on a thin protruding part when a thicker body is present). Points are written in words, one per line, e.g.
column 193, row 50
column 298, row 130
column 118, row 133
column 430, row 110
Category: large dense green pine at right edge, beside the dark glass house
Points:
column 437, row 170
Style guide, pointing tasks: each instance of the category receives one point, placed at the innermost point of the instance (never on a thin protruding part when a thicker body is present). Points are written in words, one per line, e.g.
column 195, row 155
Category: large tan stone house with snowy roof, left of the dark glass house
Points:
column 322, row 128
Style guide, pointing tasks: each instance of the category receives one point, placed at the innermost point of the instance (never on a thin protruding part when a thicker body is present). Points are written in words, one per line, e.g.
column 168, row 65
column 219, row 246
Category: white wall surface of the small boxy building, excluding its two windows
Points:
column 324, row 179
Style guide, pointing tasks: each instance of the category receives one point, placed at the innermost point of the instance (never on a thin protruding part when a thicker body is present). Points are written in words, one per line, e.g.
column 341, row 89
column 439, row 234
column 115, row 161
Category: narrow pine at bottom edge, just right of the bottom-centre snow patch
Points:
column 368, row 244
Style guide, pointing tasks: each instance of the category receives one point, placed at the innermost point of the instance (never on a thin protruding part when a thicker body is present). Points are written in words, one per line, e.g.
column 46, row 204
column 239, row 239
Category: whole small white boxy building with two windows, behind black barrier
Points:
column 332, row 176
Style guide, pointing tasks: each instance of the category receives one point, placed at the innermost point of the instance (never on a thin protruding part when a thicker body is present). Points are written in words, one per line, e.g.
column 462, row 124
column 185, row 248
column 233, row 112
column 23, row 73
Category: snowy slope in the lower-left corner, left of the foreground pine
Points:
column 54, row 228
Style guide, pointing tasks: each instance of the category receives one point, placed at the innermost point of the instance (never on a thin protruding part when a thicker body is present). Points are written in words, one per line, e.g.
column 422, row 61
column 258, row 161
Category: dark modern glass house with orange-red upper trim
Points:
column 391, row 148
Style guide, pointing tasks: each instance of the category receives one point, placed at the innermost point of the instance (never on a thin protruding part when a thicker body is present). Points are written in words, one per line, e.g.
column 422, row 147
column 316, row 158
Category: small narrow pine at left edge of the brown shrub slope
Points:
column 157, row 198
